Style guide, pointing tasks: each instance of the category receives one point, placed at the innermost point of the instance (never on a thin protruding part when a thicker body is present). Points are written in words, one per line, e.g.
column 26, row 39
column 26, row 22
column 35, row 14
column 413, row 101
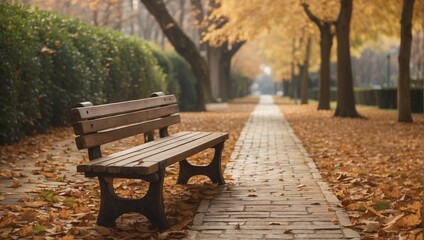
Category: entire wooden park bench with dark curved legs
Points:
column 100, row 124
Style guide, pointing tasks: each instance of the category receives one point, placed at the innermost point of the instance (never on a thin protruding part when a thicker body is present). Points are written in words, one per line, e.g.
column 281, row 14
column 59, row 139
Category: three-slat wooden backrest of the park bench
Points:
column 100, row 124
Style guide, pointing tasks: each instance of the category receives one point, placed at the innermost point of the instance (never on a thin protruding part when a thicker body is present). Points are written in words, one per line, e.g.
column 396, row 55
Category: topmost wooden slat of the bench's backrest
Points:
column 81, row 113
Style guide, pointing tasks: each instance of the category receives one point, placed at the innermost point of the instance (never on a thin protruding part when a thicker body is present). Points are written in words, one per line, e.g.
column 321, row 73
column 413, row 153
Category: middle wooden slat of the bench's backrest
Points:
column 99, row 124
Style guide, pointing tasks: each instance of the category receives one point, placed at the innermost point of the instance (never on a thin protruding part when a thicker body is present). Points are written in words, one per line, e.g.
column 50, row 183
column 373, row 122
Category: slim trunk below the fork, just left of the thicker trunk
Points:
column 324, row 81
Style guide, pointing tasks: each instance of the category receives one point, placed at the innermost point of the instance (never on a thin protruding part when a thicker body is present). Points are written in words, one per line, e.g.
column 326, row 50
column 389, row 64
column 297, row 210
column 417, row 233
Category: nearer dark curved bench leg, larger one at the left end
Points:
column 151, row 205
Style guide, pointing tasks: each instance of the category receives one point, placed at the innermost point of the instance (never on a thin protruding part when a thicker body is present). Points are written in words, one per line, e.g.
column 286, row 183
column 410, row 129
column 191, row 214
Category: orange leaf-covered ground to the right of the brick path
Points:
column 374, row 165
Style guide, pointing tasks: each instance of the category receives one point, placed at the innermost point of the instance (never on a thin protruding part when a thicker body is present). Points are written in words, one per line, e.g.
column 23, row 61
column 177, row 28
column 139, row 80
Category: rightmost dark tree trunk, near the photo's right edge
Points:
column 404, row 95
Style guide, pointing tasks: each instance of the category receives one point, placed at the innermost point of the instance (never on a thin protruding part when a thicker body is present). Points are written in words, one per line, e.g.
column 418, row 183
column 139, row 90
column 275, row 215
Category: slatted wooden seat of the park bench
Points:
column 146, row 158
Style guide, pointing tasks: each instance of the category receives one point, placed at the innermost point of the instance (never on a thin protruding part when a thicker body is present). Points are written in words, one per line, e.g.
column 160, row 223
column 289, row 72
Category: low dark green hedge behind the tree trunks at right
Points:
column 383, row 98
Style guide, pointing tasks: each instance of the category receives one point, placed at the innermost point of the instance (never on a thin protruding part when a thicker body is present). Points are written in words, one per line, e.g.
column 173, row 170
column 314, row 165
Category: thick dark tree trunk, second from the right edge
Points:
column 345, row 98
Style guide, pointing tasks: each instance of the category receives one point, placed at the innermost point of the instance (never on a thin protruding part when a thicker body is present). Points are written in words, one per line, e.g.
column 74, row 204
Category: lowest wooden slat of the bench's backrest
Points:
column 100, row 138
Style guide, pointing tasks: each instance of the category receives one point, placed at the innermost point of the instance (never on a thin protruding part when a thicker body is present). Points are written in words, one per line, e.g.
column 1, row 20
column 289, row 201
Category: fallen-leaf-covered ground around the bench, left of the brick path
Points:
column 57, row 203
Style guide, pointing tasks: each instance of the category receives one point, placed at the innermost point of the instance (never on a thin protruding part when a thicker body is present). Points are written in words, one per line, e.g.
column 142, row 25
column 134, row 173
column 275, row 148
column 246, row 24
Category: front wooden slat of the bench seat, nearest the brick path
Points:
column 151, row 164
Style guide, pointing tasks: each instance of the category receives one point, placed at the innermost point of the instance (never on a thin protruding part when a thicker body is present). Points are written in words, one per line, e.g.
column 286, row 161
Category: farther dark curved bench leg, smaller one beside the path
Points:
column 213, row 170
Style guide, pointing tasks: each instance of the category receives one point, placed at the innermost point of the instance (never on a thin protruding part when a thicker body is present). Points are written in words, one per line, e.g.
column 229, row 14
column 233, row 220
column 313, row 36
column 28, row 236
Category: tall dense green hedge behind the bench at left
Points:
column 49, row 63
